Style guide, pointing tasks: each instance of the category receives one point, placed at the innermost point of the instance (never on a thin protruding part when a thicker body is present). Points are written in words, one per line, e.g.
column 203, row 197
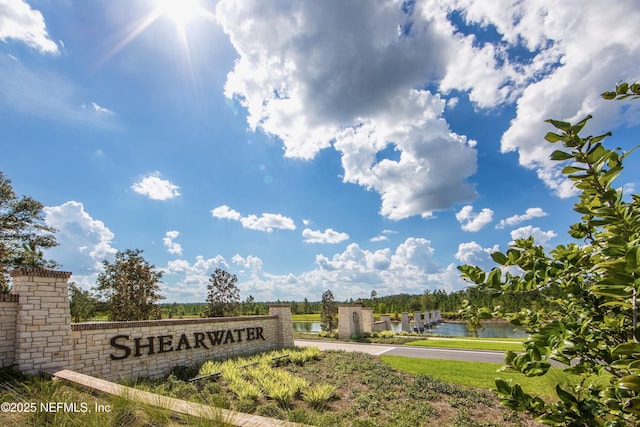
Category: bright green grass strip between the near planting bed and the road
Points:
column 480, row 374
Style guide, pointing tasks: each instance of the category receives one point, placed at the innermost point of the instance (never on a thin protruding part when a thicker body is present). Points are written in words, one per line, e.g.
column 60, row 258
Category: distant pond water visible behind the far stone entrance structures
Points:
column 491, row 330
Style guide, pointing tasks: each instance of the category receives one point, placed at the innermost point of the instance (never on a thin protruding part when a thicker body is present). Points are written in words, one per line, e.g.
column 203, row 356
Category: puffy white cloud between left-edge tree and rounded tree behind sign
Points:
column 83, row 241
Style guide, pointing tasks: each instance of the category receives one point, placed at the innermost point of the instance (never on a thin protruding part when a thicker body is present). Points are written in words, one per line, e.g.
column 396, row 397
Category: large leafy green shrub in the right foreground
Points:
column 592, row 328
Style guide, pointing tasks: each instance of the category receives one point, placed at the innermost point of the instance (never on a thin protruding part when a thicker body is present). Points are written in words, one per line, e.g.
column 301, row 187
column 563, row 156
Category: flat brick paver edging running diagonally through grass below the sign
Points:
column 176, row 405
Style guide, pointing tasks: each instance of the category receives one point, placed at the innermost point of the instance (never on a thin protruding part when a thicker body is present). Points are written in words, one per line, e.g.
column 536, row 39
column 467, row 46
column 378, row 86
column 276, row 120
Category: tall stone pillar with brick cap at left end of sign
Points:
column 43, row 323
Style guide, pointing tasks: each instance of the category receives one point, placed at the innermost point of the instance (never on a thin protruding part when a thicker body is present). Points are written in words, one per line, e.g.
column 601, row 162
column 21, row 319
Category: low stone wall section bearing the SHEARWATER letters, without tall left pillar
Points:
column 94, row 353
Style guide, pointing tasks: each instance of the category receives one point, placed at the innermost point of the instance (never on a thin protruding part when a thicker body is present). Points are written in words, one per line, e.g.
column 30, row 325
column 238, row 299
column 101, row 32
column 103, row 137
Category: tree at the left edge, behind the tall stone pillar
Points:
column 22, row 232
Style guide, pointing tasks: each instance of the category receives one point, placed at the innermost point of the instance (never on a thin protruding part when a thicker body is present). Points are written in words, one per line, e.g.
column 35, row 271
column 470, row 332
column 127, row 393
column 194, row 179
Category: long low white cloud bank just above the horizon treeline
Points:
column 352, row 273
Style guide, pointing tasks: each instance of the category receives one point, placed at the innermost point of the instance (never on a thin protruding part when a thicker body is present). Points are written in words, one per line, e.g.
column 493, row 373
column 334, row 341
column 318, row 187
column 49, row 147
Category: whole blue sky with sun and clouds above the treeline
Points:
column 303, row 146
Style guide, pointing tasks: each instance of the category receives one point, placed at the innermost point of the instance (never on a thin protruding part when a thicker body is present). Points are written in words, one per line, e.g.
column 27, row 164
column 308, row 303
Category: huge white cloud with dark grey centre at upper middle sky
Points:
column 360, row 94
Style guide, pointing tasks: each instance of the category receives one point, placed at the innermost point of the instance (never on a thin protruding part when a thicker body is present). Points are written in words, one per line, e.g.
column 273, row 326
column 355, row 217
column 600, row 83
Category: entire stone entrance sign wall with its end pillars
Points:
column 36, row 335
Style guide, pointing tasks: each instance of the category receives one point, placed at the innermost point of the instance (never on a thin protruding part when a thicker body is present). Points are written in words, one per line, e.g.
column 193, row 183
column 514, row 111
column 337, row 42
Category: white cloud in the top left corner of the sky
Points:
column 19, row 22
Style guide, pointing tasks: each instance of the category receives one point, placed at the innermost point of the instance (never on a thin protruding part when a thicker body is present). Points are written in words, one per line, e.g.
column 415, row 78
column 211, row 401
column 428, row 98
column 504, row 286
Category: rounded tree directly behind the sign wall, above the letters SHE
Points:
column 130, row 286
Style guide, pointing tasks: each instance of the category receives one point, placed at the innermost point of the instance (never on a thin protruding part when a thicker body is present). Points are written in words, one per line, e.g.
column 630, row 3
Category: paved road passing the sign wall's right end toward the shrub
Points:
column 408, row 351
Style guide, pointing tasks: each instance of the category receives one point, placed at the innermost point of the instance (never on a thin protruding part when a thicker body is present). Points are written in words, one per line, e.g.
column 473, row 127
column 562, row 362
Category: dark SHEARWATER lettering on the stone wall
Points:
column 125, row 346
